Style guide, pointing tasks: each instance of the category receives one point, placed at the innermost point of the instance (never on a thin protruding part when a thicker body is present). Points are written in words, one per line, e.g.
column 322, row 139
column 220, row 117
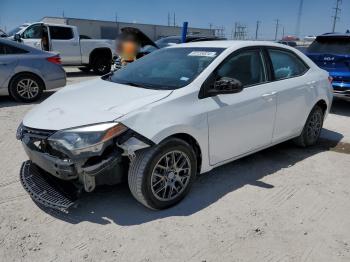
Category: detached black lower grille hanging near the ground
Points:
column 44, row 190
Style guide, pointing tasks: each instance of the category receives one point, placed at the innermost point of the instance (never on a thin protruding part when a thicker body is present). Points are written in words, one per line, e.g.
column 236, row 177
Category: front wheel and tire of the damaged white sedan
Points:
column 146, row 177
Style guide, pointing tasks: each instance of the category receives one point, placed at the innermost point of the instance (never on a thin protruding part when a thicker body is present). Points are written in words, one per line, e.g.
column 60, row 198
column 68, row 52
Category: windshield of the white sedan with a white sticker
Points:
column 168, row 68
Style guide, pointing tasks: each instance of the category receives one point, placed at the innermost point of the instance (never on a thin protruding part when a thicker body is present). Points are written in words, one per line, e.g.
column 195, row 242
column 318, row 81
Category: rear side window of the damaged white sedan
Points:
column 286, row 64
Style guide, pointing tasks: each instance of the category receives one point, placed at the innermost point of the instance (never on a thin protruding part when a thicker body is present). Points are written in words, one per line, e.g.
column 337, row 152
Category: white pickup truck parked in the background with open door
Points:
column 95, row 54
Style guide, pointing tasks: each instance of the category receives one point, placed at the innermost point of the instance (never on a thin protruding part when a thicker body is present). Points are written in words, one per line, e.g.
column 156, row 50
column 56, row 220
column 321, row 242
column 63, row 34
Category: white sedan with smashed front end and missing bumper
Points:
column 161, row 120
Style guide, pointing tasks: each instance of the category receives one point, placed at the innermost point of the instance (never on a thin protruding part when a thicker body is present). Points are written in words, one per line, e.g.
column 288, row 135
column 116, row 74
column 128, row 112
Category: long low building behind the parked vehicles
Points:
column 109, row 29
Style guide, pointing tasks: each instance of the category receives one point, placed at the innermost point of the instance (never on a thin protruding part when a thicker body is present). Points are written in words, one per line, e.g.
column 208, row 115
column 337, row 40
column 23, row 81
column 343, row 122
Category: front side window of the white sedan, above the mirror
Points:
column 246, row 66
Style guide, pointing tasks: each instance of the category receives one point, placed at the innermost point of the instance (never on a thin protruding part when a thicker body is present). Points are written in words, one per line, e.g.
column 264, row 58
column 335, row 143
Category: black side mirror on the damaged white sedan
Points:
column 225, row 85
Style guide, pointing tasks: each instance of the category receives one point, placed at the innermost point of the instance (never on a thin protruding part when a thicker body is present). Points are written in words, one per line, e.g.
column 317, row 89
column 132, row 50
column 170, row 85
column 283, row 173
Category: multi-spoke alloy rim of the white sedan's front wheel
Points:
column 171, row 175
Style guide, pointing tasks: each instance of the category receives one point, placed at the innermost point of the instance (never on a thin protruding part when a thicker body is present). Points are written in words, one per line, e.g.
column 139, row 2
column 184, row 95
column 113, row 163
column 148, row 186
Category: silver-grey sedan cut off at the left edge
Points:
column 25, row 72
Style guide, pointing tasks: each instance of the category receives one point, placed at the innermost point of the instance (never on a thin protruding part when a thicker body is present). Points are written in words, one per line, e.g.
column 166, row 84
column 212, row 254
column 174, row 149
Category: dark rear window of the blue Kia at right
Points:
column 330, row 45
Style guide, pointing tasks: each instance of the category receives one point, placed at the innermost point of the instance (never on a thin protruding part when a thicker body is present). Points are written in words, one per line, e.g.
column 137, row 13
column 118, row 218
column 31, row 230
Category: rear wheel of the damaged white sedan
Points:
column 312, row 129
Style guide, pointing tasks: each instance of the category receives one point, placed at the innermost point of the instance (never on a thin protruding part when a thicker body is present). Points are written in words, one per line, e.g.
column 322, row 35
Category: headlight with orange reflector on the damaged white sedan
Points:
column 86, row 138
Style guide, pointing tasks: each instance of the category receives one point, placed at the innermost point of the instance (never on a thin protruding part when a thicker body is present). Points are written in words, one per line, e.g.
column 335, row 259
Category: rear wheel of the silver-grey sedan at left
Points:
column 26, row 88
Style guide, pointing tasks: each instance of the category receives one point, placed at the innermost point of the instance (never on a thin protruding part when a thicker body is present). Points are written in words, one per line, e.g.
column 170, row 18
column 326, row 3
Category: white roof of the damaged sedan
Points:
column 234, row 44
